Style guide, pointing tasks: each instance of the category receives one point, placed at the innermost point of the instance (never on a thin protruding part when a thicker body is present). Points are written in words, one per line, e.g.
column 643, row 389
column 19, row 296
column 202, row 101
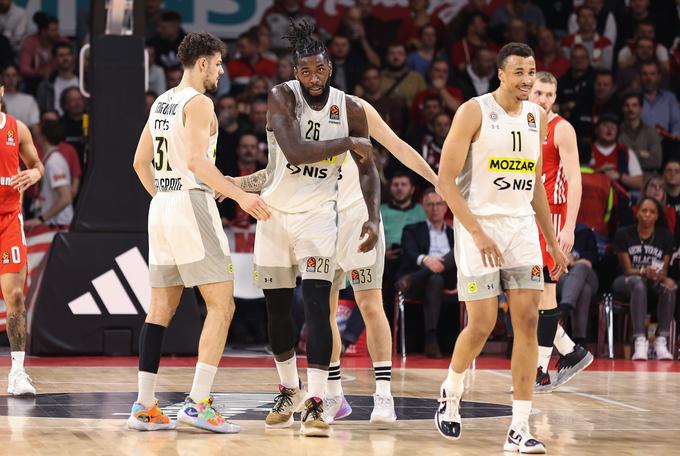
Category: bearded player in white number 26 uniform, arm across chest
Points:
column 310, row 128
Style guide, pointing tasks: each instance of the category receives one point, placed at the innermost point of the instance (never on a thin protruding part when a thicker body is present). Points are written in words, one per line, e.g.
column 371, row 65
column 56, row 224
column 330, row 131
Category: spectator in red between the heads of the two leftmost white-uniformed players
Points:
column 249, row 62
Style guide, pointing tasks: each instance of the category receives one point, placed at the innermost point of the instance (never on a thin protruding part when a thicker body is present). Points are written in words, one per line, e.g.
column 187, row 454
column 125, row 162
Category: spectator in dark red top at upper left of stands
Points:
column 36, row 60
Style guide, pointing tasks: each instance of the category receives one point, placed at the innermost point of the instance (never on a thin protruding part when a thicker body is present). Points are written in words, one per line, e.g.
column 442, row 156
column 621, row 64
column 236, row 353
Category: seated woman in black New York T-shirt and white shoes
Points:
column 644, row 251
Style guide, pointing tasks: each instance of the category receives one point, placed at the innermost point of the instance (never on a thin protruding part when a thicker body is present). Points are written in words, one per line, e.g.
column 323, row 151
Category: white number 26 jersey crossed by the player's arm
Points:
column 291, row 188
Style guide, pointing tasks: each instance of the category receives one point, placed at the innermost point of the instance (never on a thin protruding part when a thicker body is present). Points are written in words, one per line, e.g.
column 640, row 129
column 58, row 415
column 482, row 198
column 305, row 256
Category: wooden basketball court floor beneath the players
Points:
column 617, row 408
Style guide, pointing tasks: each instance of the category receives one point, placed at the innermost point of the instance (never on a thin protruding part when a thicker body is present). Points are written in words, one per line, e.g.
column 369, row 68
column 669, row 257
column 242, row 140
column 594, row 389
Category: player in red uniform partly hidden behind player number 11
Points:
column 562, row 182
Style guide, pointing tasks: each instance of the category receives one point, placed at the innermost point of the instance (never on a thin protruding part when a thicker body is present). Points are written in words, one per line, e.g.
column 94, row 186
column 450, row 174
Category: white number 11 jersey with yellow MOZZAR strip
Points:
column 499, row 174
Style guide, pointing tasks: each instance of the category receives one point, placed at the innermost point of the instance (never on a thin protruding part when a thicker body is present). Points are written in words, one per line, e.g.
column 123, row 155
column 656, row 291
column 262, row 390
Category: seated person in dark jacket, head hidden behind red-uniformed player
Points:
column 577, row 287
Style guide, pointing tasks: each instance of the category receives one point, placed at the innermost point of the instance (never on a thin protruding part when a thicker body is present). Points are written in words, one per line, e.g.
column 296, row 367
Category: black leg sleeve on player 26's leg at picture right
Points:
column 317, row 310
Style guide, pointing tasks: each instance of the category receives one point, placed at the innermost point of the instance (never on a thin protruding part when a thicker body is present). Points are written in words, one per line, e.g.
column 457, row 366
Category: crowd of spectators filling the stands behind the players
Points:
column 616, row 61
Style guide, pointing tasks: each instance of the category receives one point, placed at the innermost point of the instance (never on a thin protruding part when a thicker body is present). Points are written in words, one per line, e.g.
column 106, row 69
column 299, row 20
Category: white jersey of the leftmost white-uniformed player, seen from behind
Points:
column 171, row 142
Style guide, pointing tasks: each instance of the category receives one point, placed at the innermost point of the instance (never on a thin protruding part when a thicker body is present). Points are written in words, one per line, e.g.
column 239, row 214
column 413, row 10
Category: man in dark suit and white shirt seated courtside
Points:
column 427, row 264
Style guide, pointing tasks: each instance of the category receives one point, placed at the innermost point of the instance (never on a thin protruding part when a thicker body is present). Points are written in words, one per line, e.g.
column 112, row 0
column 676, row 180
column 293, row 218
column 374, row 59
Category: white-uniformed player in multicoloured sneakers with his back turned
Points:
column 187, row 245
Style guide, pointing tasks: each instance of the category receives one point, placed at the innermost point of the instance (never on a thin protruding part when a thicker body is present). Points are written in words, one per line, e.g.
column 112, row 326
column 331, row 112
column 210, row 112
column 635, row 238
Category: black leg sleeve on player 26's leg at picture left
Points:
column 280, row 324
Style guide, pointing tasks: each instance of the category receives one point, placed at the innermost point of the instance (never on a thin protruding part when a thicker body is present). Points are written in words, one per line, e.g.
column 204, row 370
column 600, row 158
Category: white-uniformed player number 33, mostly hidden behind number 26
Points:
column 365, row 276
